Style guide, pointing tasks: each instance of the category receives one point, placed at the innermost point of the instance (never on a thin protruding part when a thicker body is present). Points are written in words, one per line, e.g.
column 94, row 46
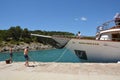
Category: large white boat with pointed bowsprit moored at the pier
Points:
column 105, row 48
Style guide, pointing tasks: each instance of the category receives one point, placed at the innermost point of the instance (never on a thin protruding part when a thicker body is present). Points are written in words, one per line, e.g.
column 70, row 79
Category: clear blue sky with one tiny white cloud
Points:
column 57, row 15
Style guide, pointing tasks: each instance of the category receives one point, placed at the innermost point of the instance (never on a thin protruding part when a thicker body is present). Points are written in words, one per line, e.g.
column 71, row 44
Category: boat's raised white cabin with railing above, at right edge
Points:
column 108, row 31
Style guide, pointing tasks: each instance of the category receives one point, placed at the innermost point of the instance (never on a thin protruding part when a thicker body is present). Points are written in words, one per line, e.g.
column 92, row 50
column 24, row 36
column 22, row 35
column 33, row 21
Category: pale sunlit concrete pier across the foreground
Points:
column 59, row 71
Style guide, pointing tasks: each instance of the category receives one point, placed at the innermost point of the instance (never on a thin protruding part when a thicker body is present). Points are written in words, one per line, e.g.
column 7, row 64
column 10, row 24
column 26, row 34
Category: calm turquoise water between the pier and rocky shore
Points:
column 52, row 55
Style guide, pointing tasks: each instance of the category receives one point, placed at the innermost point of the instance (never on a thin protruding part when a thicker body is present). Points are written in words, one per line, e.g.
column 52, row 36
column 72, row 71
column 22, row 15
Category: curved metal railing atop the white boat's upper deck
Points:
column 108, row 25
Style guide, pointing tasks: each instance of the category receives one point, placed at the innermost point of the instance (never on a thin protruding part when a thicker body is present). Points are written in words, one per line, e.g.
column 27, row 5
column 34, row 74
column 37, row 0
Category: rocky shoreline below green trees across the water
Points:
column 22, row 46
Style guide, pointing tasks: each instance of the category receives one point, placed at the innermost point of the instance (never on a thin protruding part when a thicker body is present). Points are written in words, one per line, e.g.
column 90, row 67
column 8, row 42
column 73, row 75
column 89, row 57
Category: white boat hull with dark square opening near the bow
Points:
column 95, row 51
